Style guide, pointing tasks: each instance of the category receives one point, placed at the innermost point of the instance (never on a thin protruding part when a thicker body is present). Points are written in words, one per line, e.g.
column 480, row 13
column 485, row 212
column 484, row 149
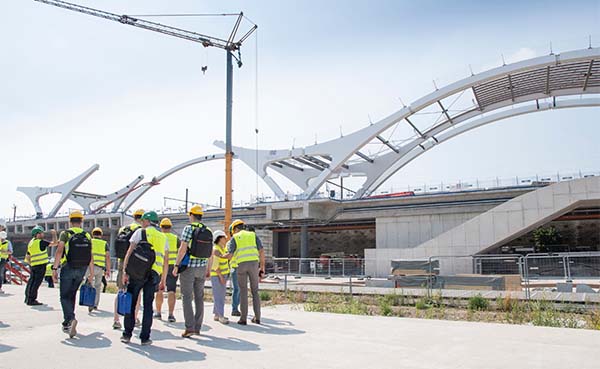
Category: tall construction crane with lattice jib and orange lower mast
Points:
column 230, row 46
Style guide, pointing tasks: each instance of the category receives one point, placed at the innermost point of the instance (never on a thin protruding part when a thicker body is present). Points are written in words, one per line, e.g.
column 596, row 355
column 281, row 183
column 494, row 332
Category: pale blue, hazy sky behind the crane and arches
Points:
column 78, row 90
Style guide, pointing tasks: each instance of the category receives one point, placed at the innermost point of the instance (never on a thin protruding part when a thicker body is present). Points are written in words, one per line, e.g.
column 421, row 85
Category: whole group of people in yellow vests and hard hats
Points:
column 238, row 257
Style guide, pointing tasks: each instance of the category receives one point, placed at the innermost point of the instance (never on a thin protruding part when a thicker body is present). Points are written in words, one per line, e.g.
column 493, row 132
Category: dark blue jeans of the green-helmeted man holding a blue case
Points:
column 148, row 286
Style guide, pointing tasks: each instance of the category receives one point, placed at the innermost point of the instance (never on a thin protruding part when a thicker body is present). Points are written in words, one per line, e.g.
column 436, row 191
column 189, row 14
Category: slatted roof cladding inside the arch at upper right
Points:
column 541, row 80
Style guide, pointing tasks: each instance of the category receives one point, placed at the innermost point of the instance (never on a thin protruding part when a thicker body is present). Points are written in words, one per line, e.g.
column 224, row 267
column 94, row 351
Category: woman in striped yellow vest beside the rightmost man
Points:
column 219, row 273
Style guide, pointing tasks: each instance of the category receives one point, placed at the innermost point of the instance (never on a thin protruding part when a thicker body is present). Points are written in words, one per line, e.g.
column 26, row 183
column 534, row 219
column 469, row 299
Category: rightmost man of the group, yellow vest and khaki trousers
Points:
column 247, row 250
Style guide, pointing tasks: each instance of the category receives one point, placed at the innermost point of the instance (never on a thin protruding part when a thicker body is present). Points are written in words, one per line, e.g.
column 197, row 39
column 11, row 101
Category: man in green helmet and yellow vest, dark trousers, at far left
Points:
column 37, row 252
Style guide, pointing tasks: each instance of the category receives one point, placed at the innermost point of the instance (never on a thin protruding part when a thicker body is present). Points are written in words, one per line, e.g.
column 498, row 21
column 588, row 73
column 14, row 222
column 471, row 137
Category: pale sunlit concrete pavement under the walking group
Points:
column 289, row 338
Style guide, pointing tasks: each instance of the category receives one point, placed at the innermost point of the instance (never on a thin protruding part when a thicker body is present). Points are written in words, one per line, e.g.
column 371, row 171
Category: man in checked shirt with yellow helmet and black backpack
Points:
column 196, row 240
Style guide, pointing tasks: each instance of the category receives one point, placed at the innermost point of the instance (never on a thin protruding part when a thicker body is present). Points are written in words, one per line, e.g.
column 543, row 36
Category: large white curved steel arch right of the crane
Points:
column 572, row 73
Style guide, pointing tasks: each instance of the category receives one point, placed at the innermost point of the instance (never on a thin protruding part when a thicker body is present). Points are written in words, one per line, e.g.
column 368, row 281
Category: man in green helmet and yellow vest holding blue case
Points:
column 156, row 277
